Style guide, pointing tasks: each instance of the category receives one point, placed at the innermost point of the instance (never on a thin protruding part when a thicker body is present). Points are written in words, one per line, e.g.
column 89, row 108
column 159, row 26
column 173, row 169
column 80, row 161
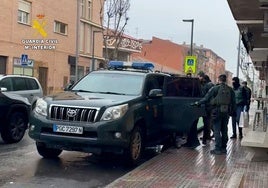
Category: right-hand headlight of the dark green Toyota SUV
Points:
column 114, row 112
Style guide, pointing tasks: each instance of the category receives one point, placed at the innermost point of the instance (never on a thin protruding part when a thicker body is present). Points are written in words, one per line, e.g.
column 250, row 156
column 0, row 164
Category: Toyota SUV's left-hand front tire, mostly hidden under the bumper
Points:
column 47, row 152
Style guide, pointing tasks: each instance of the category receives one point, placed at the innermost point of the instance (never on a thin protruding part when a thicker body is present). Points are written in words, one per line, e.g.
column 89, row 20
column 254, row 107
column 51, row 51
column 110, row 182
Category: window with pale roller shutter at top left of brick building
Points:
column 24, row 11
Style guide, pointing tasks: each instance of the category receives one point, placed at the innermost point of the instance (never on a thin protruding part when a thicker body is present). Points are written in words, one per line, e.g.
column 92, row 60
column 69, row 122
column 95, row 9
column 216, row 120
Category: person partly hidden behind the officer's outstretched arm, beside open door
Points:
column 206, row 84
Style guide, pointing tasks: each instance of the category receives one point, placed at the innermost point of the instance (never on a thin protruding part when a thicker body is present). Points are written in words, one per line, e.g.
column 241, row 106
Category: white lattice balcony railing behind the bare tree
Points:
column 127, row 43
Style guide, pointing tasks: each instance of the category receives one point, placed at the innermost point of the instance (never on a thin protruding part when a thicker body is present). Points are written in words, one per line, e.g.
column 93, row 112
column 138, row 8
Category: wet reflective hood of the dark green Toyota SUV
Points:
column 88, row 99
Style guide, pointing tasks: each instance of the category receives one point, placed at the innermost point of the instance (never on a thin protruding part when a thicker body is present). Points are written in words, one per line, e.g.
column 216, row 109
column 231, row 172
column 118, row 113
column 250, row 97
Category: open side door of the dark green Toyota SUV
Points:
column 179, row 93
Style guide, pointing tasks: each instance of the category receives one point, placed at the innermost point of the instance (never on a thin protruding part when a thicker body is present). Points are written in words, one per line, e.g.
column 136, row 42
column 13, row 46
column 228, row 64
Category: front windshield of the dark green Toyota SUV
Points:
column 111, row 83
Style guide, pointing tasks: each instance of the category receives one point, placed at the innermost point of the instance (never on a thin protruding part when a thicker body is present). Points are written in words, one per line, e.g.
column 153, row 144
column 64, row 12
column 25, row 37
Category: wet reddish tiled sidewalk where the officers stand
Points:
column 198, row 168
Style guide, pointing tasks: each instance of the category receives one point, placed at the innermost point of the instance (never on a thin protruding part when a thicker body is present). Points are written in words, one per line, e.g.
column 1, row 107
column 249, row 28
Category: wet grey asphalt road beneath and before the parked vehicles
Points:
column 21, row 166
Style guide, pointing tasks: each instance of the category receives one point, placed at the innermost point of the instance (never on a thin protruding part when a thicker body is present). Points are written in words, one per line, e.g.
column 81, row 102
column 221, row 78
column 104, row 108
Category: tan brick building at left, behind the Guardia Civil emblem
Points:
column 41, row 39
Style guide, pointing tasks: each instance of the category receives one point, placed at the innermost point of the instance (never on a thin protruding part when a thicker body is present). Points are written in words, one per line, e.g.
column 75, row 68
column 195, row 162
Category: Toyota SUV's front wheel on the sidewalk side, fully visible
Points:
column 136, row 146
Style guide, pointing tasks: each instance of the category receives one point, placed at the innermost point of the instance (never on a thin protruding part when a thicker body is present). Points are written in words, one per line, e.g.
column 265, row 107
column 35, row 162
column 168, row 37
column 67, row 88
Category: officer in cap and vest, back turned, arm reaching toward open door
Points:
column 222, row 99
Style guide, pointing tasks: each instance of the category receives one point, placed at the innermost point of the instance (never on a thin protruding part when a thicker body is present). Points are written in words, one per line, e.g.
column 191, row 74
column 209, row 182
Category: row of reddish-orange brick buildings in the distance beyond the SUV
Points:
column 169, row 57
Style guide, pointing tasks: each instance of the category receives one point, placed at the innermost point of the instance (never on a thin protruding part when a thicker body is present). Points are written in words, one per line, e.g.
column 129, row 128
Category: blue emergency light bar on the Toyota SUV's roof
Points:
column 133, row 65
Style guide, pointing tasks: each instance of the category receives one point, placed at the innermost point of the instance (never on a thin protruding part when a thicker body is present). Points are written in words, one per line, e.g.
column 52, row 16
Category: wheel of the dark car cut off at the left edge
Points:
column 15, row 129
